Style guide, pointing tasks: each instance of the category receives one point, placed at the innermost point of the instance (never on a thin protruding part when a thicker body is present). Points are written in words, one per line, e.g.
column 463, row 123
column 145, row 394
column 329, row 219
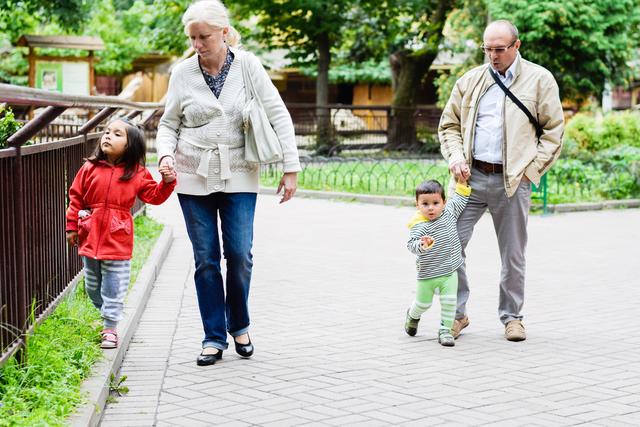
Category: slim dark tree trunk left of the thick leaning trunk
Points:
column 324, row 142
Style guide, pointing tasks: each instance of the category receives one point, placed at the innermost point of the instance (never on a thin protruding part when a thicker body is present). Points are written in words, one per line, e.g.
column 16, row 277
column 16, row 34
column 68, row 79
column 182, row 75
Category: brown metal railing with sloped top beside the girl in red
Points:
column 37, row 266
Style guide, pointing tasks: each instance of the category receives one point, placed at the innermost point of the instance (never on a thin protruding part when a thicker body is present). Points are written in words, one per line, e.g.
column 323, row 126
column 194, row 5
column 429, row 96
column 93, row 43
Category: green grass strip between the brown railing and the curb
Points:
column 61, row 352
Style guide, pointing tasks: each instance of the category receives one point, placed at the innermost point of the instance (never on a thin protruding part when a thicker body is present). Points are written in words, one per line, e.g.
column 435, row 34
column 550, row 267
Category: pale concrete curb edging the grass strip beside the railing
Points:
column 96, row 387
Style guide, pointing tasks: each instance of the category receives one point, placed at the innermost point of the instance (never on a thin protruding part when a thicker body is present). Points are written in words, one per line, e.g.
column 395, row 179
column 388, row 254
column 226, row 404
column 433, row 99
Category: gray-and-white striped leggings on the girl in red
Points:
column 106, row 283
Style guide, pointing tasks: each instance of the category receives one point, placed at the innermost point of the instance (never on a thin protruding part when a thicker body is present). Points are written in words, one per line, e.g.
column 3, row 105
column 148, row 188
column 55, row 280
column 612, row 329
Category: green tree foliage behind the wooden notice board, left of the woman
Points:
column 129, row 28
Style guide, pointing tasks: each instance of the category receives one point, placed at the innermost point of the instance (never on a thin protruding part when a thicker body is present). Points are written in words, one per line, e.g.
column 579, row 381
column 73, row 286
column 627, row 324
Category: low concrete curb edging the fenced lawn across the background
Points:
column 410, row 201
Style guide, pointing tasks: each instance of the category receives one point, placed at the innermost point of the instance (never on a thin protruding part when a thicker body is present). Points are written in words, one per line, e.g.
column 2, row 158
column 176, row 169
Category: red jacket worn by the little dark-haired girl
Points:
column 107, row 233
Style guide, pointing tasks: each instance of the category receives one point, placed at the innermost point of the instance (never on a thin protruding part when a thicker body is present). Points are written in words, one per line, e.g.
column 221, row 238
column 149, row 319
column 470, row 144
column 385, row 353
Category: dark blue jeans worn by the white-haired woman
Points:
column 236, row 210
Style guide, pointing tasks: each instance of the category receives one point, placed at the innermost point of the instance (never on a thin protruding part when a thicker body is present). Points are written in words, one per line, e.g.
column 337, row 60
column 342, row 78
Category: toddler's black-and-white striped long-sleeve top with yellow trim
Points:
column 444, row 256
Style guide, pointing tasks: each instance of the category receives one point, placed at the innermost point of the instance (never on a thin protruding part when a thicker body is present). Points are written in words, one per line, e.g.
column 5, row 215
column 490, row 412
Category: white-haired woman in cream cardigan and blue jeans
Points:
column 201, row 133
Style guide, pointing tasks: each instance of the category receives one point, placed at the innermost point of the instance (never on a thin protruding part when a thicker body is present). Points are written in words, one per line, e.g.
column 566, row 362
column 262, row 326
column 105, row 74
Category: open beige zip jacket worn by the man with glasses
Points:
column 522, row 152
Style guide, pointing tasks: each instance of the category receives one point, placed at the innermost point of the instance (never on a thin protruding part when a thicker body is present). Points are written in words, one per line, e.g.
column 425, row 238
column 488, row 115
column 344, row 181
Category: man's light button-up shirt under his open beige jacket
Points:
column 487, row 144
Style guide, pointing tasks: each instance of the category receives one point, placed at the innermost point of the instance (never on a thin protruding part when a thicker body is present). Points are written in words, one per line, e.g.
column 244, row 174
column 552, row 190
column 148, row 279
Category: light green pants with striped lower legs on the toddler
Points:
column 447, row 287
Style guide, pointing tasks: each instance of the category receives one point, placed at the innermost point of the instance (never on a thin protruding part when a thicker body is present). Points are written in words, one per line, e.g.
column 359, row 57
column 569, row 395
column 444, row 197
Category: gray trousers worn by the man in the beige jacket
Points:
column 510, row 215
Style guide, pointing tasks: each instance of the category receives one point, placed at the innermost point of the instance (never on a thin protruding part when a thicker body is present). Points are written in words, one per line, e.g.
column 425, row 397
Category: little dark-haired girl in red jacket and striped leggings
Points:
column 99, row 217
